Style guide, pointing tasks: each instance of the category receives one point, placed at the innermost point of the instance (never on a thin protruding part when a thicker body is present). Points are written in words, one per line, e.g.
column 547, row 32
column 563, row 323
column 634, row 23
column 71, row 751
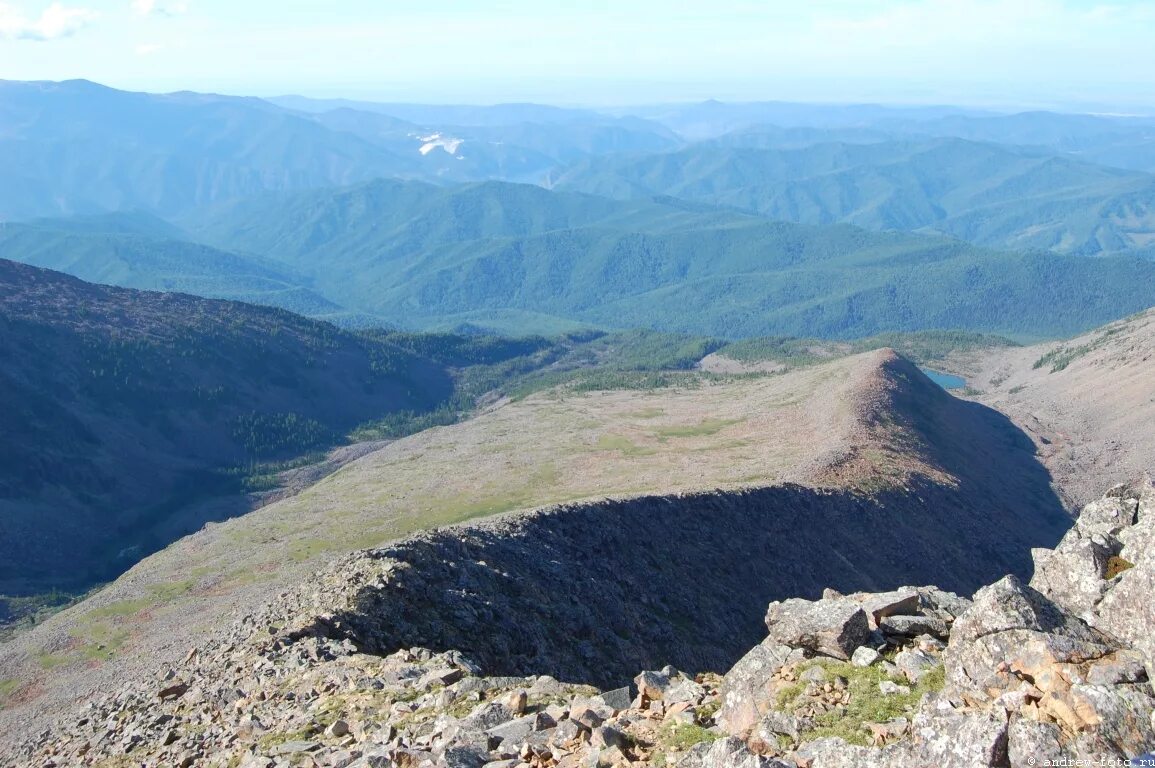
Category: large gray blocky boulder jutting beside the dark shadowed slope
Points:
column 831, row 628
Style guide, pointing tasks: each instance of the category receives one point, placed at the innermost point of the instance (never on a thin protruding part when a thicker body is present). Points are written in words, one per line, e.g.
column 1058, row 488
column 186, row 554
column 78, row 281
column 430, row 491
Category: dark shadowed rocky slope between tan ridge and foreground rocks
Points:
column 597, row 592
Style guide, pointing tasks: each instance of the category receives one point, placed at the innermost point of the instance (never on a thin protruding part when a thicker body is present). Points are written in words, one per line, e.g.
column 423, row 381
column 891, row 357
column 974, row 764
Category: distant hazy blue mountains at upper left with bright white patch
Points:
column 81, row 148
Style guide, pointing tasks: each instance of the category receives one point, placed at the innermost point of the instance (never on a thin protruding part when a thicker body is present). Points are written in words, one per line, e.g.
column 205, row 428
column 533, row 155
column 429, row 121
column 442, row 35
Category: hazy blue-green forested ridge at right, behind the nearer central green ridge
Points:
column 993, row 196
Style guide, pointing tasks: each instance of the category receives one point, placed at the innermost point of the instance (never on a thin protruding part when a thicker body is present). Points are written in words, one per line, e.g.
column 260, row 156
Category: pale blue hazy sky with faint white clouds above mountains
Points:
column 1025, row 53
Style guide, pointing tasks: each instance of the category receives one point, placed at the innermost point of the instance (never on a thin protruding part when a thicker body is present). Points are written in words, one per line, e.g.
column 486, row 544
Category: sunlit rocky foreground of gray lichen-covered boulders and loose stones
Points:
column 1019, row 675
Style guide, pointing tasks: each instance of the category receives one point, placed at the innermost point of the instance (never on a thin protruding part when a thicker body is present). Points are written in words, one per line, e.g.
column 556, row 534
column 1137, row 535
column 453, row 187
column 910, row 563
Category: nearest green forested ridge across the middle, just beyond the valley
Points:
column 527, row 260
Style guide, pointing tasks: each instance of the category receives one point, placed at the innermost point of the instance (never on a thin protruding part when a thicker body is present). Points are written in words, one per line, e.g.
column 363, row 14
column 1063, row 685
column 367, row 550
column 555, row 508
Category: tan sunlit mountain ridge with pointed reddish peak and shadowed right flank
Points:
column 861, row 450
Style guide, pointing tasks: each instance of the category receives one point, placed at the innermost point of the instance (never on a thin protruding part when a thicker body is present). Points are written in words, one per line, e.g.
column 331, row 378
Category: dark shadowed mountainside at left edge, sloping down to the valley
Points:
column 126, row 413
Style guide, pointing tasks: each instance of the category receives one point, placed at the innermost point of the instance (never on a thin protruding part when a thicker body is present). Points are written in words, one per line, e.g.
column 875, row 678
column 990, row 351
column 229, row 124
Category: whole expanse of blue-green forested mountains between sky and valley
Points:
column 702, row 220
